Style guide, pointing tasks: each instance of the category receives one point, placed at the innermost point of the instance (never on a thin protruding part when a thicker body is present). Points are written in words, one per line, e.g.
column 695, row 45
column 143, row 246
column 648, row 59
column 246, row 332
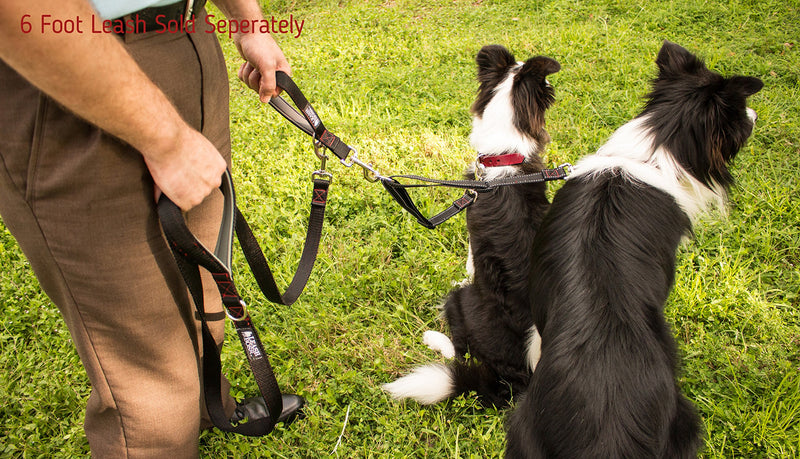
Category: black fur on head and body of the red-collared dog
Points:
column 490, row 318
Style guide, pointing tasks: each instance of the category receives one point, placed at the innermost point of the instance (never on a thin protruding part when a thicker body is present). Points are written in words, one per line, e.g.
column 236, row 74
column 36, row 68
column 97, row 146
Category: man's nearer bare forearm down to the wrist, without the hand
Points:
column 90, row 74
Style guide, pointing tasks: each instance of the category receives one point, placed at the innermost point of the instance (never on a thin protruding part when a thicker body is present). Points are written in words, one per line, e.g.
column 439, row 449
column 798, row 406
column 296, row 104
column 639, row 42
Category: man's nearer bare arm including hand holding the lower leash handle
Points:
column 94, row 76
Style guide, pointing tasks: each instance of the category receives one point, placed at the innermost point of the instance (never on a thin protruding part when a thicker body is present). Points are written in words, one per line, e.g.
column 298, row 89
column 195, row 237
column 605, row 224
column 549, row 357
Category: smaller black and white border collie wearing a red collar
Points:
column 489, row 316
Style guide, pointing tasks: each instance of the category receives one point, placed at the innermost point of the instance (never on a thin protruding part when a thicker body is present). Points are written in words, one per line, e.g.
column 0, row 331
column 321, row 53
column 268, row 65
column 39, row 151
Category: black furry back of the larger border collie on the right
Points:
column 604, row 386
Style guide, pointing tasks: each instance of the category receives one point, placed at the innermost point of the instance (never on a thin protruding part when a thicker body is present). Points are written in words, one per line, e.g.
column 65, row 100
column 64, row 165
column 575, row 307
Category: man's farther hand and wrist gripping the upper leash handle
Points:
column 262, row 55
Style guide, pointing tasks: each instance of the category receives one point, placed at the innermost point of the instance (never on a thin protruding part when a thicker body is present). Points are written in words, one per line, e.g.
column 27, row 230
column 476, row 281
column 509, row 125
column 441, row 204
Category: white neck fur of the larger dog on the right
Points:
column 630, row 150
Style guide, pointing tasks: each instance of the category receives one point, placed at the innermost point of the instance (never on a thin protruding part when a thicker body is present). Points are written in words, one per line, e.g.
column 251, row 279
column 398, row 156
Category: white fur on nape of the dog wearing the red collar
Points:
column 494, row 132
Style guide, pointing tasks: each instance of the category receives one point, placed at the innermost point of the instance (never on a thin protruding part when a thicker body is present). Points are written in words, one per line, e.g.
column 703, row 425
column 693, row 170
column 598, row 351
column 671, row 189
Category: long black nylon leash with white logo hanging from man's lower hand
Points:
column 190, row 254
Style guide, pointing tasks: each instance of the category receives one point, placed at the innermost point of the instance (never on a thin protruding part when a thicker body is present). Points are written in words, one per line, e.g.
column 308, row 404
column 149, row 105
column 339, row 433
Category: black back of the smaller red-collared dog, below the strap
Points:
column 490, row 318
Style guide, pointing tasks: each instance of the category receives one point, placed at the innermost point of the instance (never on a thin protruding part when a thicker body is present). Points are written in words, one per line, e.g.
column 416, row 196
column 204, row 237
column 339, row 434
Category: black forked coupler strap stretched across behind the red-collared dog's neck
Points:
column 398, row 191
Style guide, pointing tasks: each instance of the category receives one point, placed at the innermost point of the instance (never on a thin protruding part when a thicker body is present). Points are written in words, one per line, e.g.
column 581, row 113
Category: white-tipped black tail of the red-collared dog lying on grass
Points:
column 433, row 383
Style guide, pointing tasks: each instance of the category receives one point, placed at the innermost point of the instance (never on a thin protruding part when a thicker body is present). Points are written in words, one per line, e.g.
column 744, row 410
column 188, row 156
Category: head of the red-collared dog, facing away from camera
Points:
column 508, row 114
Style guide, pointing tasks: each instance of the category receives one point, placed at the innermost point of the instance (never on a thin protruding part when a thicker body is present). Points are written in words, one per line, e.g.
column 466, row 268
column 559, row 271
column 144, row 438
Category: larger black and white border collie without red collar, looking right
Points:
column 603, row 265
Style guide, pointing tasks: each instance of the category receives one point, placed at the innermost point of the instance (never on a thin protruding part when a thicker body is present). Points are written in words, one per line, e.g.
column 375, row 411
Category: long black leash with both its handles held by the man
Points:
column 190, row 255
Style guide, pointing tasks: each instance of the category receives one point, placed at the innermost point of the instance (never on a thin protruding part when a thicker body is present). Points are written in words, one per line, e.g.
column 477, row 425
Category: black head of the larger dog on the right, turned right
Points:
column 700, row 117
